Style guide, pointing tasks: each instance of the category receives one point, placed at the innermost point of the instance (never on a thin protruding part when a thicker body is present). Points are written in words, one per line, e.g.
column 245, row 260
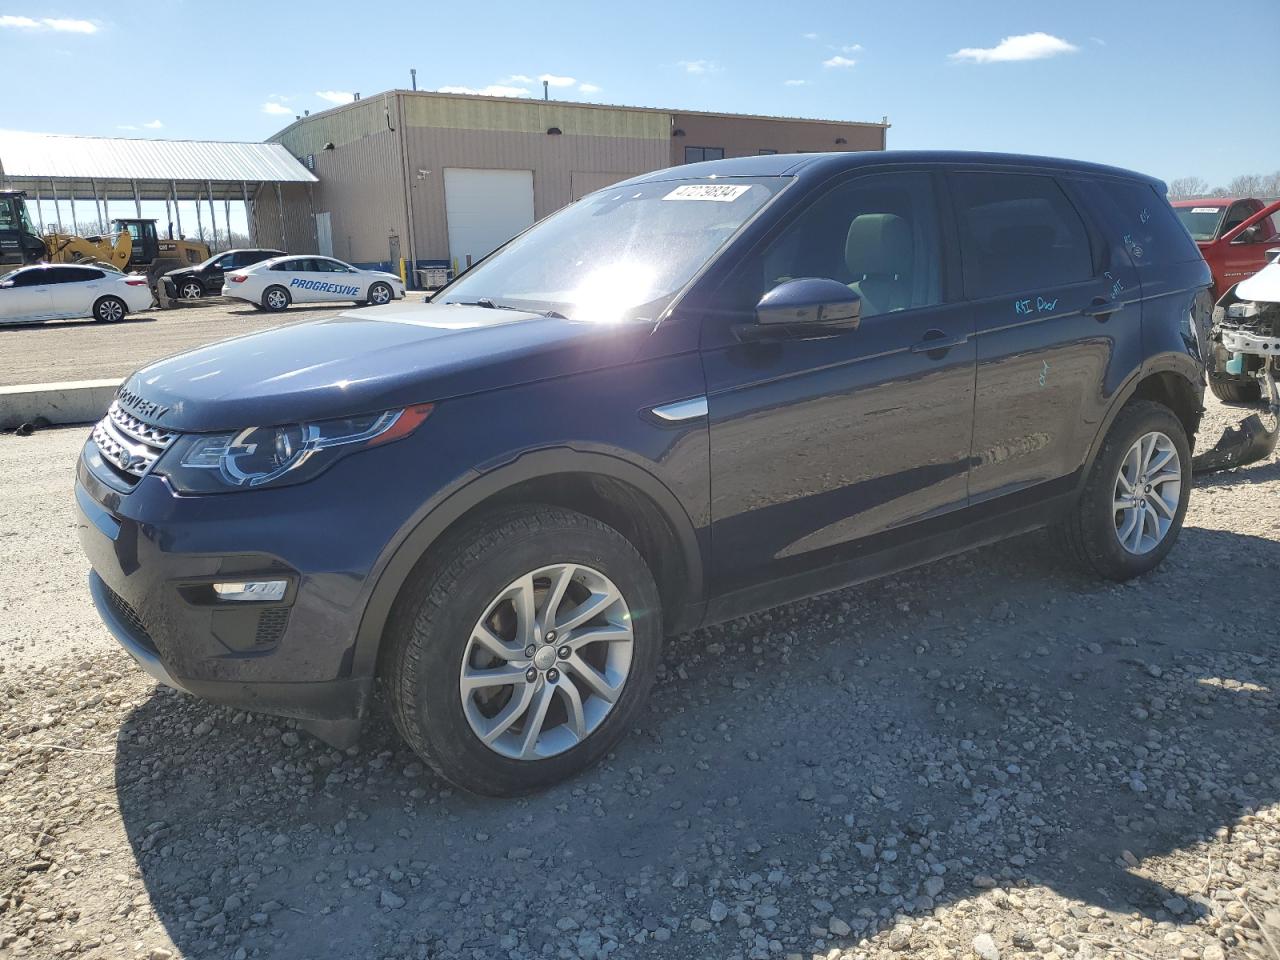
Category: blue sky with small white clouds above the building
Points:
column 1141, row 85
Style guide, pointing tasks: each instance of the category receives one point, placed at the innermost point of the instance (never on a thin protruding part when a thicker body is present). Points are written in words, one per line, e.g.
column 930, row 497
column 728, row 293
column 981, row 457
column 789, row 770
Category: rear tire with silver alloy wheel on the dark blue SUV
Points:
column 1092, row 533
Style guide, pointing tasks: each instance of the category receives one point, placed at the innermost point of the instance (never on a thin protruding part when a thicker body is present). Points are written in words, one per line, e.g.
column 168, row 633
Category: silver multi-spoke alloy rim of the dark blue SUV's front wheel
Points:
column 547, row 662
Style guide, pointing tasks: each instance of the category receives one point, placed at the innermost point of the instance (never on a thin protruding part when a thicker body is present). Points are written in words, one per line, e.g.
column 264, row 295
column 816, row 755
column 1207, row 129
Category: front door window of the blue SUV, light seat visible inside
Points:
column 879, row 235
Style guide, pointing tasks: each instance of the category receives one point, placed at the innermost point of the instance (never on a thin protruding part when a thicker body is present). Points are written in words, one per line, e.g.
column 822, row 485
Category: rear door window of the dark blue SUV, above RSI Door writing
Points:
column 1018, row 232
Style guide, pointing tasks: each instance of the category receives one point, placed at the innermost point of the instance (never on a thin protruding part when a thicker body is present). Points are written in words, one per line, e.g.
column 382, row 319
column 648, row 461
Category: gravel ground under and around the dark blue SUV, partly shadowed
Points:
column 989, row 757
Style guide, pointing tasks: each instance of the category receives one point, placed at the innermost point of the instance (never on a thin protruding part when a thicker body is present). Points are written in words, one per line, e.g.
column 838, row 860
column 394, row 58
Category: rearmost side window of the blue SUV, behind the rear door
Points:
column 1141, row 221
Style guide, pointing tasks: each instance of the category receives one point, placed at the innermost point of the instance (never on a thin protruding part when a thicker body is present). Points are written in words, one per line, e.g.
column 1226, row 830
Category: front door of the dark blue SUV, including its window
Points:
column 828, row 450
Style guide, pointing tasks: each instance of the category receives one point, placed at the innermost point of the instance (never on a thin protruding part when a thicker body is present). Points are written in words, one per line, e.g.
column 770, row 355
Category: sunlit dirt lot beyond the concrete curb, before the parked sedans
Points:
column 83, row 350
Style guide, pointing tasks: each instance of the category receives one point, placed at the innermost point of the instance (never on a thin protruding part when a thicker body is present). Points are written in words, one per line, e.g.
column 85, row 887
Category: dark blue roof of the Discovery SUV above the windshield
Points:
column 826, row 164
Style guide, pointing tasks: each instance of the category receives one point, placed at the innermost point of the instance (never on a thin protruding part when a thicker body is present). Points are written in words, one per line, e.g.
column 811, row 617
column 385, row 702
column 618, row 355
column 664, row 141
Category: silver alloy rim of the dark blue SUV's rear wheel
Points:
column 1148, row 492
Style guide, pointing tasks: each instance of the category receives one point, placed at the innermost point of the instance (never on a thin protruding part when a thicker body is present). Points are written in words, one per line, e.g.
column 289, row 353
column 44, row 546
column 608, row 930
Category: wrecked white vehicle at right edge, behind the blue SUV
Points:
column 1245, row 364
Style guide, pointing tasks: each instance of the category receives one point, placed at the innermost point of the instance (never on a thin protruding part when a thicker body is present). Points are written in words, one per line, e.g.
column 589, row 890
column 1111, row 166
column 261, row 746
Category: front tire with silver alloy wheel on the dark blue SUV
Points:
column 431, row 643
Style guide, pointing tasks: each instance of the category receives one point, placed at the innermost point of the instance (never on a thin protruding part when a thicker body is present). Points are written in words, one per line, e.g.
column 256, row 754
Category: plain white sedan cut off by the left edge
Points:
column 63, row 291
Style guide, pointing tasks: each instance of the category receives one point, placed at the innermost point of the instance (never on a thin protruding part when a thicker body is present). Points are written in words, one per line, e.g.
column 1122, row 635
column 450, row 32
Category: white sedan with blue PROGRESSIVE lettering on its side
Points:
column 275, row 285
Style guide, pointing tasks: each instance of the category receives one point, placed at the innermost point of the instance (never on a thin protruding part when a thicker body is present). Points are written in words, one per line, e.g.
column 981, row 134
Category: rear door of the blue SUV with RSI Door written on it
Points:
column 1052, row 309
